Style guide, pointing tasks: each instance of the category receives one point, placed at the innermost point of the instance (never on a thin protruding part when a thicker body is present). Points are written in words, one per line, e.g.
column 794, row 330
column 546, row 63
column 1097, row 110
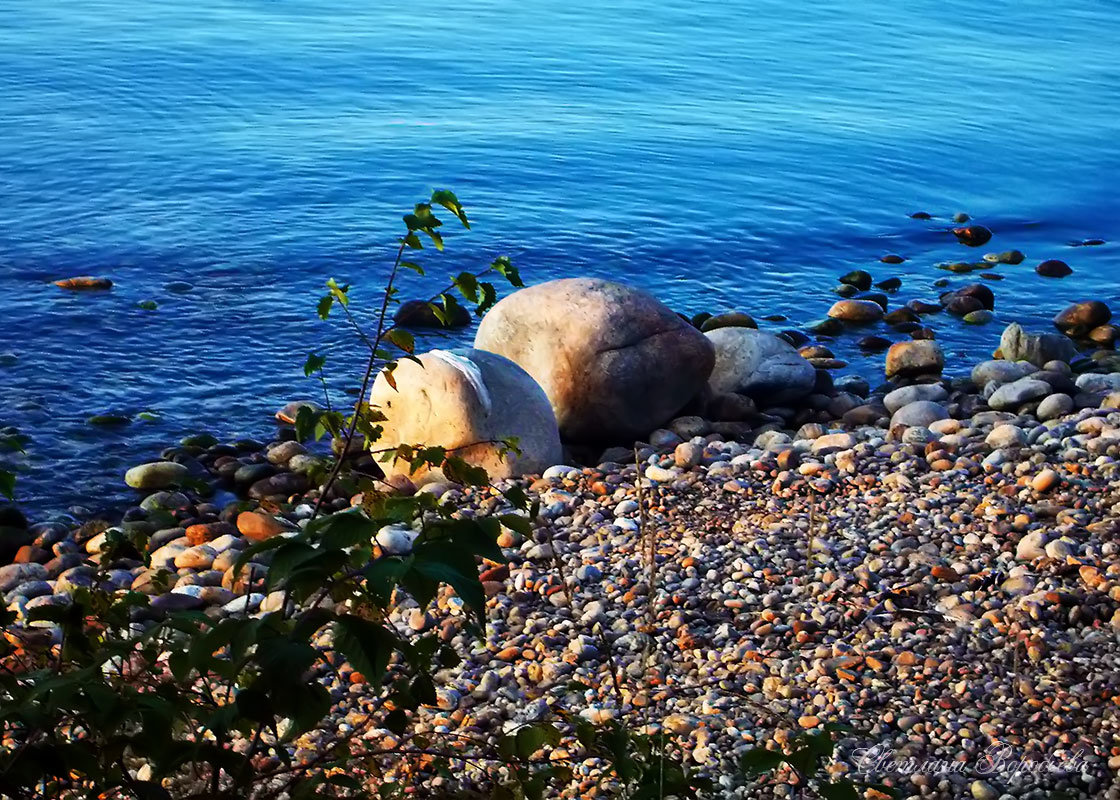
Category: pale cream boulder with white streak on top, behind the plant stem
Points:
column 468, row 402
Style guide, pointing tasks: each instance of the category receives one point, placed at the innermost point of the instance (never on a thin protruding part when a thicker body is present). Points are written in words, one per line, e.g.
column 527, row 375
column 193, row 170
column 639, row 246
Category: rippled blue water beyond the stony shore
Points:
column 723, row 155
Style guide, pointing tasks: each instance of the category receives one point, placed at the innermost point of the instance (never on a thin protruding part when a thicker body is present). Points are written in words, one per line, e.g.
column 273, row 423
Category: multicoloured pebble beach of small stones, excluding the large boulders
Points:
column 848, row 571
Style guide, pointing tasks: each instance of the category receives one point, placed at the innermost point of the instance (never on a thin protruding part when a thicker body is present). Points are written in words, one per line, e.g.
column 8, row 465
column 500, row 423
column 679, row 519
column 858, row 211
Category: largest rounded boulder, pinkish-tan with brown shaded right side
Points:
column 614, row 361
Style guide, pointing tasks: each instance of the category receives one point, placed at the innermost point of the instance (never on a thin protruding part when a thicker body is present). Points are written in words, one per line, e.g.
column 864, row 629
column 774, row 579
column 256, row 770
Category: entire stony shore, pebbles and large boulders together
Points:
column 934, row 563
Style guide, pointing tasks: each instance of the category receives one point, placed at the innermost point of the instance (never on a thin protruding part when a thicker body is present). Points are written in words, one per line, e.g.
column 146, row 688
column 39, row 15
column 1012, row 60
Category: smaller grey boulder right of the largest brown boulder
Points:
column 761, row 366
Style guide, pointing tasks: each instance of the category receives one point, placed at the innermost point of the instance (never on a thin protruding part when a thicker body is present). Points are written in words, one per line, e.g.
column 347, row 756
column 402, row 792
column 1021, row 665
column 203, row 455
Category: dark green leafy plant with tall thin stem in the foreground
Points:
column 109, row 695
